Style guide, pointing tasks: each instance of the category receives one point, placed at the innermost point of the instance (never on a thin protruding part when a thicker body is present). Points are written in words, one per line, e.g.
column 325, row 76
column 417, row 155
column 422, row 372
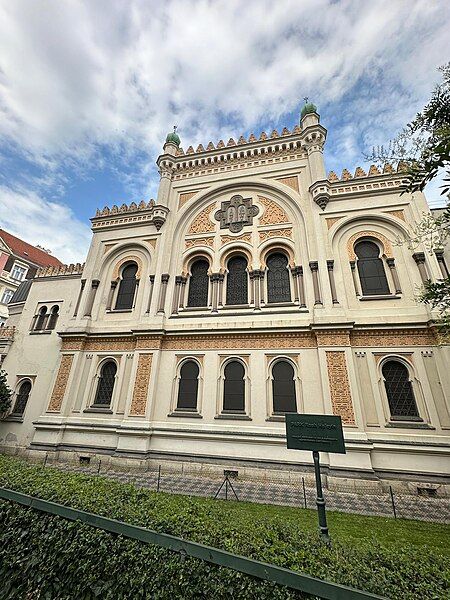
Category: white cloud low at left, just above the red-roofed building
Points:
column 49, row 224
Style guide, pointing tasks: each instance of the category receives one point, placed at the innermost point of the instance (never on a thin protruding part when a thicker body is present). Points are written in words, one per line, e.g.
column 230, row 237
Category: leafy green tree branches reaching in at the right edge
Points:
column 422, row 148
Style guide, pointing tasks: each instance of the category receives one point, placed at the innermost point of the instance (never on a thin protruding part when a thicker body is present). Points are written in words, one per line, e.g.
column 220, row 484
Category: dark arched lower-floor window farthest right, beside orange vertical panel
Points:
column 399, row 391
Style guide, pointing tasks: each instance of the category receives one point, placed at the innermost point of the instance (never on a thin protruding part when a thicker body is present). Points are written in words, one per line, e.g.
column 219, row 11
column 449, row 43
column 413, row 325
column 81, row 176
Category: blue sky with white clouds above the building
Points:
column 89, row 90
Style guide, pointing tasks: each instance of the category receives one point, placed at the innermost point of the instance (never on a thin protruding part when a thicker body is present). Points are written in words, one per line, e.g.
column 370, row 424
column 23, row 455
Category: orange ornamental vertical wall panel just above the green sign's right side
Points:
column 341, row 398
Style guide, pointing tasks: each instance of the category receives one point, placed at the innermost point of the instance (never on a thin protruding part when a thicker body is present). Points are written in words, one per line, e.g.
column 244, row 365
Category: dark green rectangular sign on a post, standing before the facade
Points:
column 318, row 433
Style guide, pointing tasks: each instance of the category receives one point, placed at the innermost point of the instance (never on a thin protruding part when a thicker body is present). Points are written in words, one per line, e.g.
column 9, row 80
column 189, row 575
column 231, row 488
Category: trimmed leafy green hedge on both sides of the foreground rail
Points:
column 43, row 556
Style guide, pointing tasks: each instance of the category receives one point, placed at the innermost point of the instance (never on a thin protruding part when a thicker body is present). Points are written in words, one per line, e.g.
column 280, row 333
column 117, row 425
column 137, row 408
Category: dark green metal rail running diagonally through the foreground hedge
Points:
column 317, row 588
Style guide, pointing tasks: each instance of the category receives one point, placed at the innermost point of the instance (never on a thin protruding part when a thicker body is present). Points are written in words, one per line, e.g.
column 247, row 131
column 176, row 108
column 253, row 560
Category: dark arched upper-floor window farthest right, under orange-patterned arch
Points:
column 371, row 269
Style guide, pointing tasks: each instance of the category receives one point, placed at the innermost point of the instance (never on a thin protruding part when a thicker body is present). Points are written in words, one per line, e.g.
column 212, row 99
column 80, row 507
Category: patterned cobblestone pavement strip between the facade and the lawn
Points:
column 377, row 504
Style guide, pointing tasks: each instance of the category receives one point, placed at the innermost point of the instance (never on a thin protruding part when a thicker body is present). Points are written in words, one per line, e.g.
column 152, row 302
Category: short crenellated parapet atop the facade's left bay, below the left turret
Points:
column 142, row 213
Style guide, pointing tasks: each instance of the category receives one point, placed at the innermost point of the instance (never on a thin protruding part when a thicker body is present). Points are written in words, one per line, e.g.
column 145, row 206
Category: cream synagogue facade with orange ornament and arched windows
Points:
column 254, row 285
